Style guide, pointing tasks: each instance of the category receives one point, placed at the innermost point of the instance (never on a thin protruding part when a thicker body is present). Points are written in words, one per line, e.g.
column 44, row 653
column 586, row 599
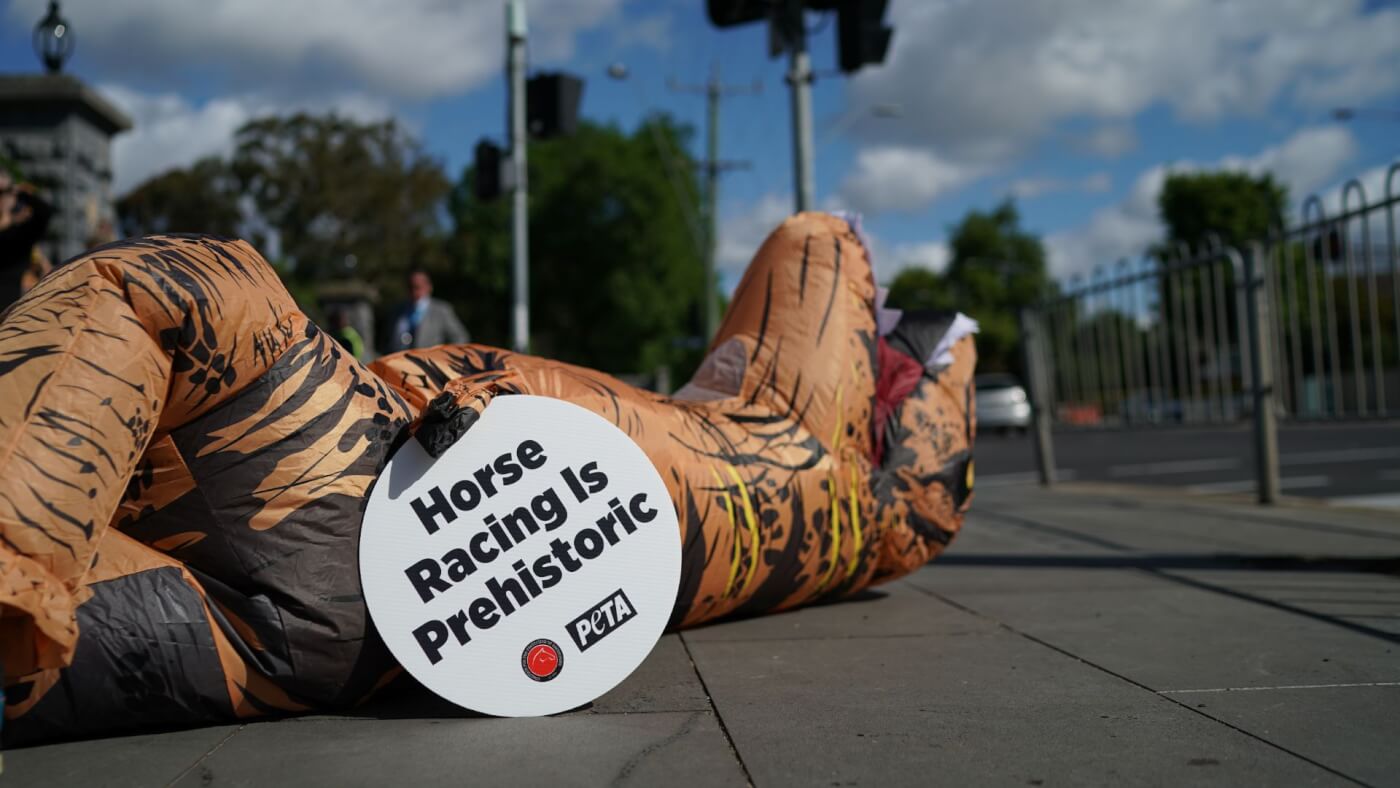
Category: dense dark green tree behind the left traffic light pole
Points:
column 615, row 274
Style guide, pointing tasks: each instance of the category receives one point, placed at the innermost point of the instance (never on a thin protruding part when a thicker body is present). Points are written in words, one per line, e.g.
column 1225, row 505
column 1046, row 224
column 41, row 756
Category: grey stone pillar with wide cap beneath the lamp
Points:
column 58, row 132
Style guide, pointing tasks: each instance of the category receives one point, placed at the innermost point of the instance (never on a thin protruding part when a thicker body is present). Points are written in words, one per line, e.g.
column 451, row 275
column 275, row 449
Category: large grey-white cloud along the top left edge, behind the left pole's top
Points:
column 395, row 48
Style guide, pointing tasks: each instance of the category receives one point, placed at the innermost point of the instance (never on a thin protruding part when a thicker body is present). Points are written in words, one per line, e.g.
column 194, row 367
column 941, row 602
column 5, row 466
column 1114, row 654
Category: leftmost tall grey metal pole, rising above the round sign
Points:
column 520, row 226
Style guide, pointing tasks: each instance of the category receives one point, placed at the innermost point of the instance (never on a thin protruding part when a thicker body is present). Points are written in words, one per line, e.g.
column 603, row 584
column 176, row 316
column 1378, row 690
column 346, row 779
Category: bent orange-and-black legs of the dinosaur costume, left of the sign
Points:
column 187, row 437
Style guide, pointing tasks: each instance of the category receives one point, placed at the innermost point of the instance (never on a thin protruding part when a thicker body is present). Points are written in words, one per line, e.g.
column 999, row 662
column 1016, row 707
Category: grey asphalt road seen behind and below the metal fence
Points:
column 1356, row 464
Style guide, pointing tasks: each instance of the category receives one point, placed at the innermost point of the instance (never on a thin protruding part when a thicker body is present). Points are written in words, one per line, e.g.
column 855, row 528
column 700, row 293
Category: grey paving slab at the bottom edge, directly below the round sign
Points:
column 583, row 750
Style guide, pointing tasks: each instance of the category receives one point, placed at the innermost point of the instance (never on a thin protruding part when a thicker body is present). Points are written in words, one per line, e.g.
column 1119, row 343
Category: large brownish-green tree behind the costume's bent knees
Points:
column 338, row 190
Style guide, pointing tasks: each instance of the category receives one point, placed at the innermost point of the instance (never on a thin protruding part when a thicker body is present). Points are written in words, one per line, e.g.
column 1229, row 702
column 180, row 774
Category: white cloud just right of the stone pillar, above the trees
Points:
column 171, row 132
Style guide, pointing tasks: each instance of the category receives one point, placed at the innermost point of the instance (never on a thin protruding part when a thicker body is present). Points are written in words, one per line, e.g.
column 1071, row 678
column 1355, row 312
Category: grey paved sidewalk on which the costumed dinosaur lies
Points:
column 1088, row 636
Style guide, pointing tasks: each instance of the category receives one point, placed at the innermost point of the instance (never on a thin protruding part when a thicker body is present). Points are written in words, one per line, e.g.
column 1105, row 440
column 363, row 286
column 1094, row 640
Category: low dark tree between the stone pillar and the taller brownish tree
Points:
column 201, row 198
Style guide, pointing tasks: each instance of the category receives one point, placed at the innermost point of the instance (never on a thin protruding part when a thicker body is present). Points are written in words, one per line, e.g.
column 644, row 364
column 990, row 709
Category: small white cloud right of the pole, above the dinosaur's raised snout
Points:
column 901, row 180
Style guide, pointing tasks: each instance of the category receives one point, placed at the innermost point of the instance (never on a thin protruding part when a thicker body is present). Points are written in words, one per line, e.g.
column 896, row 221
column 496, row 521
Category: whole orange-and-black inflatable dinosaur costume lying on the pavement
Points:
column 185, row 460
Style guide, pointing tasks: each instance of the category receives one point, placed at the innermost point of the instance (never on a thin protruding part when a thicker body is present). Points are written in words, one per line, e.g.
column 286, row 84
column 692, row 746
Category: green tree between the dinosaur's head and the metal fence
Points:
column 996, row 269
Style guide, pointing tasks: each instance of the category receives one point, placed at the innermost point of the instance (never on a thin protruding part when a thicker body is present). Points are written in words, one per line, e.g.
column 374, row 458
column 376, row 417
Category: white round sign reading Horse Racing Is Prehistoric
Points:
column 531, row 568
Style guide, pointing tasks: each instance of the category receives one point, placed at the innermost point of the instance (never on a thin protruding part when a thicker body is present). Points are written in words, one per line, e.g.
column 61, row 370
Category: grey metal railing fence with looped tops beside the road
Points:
column 1301, row 325
